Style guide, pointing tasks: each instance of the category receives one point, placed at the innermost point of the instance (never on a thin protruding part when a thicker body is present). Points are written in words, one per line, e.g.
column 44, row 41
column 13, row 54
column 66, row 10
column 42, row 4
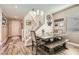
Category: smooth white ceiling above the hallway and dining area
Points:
column 20, row 10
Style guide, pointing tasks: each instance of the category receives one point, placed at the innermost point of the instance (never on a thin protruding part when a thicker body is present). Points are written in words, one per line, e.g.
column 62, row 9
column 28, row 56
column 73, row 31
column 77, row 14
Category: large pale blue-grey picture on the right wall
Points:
column 72, row 24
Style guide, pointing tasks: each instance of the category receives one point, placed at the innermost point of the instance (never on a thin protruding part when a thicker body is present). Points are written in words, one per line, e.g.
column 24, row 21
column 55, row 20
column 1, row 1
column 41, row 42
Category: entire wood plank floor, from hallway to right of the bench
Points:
column 16, row 47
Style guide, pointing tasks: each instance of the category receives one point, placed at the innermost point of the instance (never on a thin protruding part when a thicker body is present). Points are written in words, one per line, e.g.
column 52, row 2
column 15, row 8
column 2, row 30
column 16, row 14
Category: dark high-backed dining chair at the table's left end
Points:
column 36, row 42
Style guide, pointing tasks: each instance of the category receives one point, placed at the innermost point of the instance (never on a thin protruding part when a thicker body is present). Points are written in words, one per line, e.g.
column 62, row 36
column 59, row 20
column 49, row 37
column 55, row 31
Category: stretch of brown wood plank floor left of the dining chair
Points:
column 14, row 47
